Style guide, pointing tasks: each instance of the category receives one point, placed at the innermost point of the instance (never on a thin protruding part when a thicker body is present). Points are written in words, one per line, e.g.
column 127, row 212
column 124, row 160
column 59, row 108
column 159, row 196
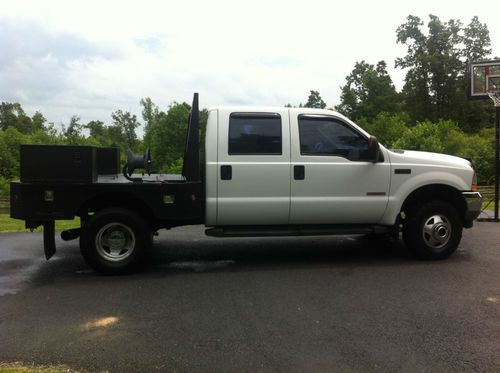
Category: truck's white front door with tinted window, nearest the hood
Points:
column 332, row 181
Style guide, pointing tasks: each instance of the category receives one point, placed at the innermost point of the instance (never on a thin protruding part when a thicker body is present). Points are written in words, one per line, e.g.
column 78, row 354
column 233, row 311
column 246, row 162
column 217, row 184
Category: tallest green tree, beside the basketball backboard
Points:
column 435, row 65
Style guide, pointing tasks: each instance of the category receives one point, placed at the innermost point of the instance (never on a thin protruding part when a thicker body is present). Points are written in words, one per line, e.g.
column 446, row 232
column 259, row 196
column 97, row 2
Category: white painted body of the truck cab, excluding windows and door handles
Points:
column 335, row 190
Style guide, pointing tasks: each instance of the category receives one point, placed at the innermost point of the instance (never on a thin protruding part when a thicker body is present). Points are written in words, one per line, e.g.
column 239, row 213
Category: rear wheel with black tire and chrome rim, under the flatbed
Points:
column 115, row 241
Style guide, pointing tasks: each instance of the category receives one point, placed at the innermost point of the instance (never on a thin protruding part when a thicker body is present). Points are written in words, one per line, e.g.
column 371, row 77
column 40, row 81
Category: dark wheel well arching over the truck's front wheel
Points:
column 439, row 192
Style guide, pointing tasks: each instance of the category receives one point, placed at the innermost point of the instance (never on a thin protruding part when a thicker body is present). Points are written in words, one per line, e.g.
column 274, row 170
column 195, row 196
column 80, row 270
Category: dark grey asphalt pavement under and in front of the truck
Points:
column 308, row 304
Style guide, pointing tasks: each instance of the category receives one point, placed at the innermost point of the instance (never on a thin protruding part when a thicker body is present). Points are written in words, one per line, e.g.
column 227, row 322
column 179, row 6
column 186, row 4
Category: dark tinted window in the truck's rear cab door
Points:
column 254, row 134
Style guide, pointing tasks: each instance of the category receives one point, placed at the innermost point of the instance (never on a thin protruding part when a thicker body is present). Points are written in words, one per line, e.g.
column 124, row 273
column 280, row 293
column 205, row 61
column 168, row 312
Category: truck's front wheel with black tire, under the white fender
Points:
column 432, row 231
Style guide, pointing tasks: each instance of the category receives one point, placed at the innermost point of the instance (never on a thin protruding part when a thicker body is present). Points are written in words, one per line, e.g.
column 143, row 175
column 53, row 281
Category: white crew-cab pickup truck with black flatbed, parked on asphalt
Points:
column 268, row 171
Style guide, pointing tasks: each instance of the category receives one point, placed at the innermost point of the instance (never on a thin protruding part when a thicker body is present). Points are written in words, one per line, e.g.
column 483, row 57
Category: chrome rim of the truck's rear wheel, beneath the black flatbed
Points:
column 115, row 242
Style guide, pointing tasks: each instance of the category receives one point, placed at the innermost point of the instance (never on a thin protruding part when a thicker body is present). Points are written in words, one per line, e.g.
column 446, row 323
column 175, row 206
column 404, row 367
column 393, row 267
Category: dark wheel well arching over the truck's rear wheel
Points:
column 125, row 201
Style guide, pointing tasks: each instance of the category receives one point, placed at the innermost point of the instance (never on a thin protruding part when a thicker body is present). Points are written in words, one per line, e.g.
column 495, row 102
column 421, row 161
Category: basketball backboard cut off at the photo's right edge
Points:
column 484, row 77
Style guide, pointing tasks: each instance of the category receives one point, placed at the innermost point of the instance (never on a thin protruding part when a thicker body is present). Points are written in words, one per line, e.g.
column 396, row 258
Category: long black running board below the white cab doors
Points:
column 294, row 230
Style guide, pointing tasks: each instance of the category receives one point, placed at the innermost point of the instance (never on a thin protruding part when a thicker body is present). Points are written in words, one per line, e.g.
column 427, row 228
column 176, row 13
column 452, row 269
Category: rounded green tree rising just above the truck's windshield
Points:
column 368, row 91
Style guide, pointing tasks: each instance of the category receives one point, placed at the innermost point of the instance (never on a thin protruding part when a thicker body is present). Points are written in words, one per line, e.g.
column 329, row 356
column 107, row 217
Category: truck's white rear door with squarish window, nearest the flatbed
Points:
column 253, row 184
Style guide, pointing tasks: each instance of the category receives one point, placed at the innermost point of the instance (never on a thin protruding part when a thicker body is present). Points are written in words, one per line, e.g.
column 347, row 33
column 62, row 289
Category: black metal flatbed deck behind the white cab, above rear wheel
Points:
column 165, row 200
